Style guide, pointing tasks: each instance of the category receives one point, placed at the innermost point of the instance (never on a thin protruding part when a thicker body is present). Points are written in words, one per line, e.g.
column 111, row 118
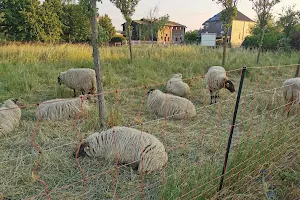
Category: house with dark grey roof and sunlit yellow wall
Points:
column 240, row 29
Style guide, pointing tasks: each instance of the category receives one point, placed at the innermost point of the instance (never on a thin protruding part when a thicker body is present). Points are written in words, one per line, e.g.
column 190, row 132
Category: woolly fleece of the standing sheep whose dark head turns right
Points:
column 215, row 78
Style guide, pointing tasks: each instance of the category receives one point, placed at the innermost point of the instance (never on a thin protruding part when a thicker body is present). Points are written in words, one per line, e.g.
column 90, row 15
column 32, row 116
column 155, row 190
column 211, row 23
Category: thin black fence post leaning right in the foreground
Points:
column 232, row 128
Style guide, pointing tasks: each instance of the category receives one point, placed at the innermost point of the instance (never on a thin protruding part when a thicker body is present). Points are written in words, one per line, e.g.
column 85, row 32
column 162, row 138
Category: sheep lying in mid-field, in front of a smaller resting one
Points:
column 177, row 107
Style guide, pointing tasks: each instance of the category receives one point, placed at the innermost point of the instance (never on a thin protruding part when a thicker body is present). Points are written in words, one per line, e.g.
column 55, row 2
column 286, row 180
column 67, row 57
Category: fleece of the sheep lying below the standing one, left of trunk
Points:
column 60, row 109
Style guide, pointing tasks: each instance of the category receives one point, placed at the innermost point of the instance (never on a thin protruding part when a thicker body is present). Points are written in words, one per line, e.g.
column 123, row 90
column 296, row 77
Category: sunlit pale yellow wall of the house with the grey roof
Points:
column 240, row 30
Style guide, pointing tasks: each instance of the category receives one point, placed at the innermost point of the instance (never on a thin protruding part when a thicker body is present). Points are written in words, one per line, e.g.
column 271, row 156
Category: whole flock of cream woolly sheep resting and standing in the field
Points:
column 129, row 145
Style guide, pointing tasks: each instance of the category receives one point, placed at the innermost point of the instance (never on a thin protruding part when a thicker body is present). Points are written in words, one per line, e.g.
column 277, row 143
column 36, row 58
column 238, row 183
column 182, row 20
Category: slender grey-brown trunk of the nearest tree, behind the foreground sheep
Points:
column 97, row 65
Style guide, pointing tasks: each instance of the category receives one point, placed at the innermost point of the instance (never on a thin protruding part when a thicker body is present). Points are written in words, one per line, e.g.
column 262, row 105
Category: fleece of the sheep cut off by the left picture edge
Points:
column 10, row 115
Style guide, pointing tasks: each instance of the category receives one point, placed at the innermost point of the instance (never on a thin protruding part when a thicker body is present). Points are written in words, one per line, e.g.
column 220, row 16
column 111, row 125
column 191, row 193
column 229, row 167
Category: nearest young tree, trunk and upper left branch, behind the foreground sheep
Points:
column 90, row 8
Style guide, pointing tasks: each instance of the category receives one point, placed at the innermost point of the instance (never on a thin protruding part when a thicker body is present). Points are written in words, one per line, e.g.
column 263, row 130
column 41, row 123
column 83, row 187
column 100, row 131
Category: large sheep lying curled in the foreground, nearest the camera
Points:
column 129, row 146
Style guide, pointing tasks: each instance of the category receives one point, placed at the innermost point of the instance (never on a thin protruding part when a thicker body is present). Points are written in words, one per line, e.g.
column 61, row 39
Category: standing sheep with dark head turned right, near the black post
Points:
column 215, row 80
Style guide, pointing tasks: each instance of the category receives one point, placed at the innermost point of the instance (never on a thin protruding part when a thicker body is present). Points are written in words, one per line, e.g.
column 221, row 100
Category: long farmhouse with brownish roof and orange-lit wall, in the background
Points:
column 172, row 32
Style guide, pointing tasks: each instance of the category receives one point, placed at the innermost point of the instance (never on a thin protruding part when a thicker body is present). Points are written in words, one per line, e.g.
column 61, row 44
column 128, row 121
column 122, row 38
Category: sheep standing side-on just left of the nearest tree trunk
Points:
column 82, row 79
